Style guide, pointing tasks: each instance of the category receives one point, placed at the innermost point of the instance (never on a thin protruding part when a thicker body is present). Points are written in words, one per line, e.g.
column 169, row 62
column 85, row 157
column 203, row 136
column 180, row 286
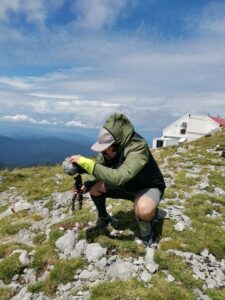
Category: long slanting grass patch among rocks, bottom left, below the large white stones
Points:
column 62, row 273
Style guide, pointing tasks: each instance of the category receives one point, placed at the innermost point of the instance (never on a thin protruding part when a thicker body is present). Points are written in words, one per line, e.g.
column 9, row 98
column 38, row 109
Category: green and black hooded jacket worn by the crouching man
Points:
column 134, row 167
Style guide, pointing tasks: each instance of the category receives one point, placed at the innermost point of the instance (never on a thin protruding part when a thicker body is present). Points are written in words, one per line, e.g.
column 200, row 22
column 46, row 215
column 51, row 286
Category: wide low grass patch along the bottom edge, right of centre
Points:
column 133, row 289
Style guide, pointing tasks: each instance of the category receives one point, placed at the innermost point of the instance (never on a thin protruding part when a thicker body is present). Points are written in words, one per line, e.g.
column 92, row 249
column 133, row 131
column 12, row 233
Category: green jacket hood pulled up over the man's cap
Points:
column 121, row 129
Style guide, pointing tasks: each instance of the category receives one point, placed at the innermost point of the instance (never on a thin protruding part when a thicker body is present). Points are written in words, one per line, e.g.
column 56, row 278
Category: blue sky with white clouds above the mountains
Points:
column 71, row 63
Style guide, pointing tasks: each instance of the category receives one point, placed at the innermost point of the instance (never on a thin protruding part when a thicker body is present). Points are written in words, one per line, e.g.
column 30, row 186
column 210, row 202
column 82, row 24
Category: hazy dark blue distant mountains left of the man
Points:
column 38, row 151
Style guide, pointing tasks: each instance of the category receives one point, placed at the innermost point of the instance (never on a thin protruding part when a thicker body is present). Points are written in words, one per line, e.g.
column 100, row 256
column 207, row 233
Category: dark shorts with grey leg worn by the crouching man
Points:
column 116, row 192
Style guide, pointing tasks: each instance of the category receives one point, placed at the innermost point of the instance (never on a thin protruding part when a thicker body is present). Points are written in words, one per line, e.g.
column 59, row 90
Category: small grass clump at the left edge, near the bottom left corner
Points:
column 9, row 267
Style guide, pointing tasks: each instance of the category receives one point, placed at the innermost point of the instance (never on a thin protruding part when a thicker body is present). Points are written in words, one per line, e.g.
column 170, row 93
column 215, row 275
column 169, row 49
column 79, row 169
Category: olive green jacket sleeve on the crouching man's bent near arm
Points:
column 132, row 165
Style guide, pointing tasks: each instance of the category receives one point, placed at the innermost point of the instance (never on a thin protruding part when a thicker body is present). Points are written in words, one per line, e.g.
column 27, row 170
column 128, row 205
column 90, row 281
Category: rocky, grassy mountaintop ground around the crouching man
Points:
column 193, row 206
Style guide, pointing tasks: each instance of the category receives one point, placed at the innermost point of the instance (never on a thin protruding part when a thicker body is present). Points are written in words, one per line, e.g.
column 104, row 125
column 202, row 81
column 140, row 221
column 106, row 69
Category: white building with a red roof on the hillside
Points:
column 190, row 127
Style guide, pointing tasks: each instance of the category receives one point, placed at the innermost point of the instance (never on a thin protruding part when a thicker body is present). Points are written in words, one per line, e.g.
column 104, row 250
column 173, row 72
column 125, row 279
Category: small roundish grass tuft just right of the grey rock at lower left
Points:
column 45, row 255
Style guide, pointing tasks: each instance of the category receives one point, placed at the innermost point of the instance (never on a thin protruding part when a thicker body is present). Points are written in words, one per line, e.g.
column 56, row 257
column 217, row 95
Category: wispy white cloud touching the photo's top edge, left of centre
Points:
column 98, row 14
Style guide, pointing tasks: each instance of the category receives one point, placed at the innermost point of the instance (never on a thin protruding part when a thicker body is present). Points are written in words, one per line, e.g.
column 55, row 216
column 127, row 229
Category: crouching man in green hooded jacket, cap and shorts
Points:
column 125, row 168
